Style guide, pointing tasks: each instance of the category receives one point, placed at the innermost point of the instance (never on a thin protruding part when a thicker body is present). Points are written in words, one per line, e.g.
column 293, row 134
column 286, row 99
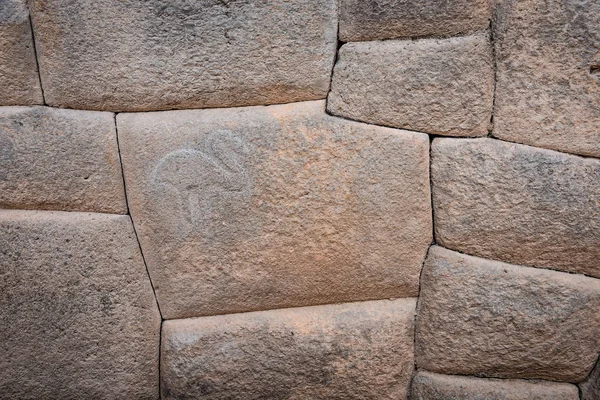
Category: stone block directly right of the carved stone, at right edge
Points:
column 517, row 204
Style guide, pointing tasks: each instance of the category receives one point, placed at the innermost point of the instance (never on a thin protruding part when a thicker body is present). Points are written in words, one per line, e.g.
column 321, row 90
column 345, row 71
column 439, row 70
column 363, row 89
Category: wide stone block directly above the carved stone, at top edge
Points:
column 156, row 55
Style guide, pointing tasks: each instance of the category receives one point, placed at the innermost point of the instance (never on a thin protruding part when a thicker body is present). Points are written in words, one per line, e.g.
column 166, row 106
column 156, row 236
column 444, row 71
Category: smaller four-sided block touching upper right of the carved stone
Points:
column 438, row 86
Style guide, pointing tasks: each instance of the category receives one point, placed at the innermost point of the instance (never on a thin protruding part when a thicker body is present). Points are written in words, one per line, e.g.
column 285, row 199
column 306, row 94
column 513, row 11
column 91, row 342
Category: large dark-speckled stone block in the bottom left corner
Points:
column 78, row 317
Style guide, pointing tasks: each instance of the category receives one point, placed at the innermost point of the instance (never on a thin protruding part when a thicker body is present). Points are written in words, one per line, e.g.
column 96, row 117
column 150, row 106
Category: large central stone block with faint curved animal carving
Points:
column 269, row 207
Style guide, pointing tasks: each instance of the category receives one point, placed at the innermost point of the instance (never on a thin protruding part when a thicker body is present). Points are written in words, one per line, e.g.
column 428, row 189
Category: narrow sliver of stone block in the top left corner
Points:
column 19, row 80
